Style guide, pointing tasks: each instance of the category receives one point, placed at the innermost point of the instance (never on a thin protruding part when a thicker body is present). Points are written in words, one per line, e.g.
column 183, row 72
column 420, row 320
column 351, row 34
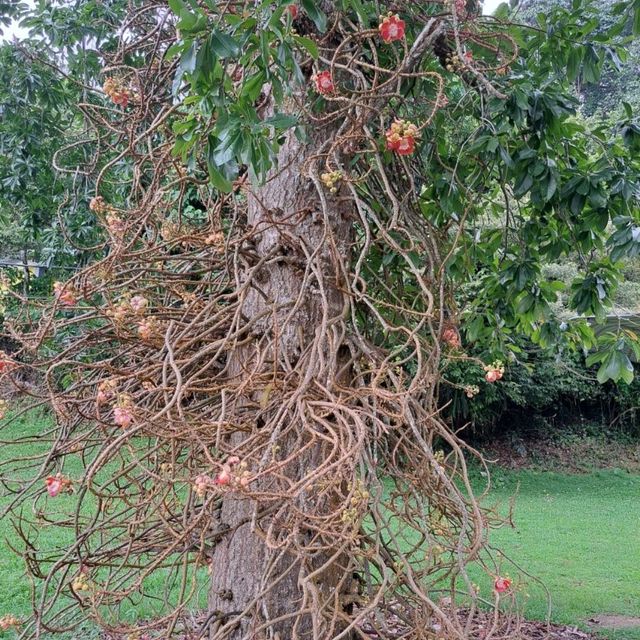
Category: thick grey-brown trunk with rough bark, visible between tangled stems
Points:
column 288, row 219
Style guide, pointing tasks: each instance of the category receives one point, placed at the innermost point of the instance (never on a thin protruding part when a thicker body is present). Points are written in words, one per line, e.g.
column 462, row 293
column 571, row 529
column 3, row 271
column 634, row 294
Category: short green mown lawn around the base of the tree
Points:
column 579, row 534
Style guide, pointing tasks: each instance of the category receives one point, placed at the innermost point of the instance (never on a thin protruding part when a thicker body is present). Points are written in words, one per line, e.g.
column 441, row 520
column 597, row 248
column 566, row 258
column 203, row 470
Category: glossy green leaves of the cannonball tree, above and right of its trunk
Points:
column 562, row 181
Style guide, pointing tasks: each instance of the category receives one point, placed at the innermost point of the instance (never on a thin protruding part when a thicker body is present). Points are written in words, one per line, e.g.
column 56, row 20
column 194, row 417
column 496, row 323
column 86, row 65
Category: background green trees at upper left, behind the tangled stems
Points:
column 46, row 176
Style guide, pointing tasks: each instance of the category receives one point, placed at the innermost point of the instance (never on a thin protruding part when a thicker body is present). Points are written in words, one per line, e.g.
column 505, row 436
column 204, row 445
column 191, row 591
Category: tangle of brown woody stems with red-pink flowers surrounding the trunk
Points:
column 243, row 361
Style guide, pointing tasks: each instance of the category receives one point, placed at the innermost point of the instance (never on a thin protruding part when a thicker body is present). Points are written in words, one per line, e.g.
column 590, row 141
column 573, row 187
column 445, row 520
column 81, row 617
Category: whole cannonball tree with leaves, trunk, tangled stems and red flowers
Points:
column 293, row 197
